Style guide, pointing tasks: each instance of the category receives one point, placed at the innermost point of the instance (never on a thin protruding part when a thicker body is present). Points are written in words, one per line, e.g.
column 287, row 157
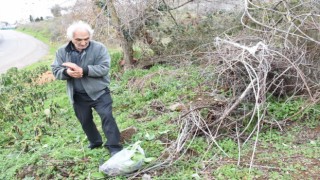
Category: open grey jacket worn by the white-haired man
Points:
column 95, row 61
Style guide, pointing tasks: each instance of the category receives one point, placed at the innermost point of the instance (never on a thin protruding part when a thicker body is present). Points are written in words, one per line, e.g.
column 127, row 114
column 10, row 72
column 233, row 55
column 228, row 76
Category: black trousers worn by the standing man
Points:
column 83, row 105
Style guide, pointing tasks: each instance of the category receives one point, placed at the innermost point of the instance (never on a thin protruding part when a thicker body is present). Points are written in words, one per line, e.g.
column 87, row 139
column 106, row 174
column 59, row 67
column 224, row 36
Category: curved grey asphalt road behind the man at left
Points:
column 19, row 50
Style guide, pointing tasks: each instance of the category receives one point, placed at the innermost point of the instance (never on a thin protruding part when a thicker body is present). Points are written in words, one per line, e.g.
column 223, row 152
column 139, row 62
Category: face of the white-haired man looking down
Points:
column 81, row 39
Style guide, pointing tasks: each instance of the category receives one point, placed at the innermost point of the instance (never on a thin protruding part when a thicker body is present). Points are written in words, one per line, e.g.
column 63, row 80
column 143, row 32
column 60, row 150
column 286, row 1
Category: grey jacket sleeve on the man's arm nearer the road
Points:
column 58, row 70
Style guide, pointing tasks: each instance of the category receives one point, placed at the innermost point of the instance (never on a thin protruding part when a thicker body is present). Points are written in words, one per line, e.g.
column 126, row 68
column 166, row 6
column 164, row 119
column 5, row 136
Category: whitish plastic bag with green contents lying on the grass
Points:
column 126, row 161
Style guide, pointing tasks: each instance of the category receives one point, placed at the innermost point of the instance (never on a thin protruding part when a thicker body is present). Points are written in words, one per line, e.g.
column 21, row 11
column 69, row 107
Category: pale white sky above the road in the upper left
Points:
column 12, row 11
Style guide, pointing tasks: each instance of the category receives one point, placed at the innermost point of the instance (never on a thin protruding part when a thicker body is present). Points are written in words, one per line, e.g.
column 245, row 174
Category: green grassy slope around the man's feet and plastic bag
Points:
column 141, row 99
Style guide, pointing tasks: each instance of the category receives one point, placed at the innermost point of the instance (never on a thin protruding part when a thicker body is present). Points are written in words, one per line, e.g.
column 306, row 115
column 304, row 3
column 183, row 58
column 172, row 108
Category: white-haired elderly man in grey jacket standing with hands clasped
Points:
column 85, row 64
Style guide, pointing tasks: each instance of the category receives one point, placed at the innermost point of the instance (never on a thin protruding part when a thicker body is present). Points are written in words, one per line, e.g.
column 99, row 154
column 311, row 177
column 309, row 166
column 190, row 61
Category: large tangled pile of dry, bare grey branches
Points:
column 279, row 58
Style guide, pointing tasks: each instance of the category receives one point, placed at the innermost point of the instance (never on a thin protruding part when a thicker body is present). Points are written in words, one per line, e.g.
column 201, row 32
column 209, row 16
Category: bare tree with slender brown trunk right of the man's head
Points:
column 130, row 18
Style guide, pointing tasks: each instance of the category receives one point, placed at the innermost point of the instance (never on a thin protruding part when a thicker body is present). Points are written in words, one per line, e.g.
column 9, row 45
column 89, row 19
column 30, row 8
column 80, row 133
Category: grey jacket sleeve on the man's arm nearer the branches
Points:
column 101, row 66
